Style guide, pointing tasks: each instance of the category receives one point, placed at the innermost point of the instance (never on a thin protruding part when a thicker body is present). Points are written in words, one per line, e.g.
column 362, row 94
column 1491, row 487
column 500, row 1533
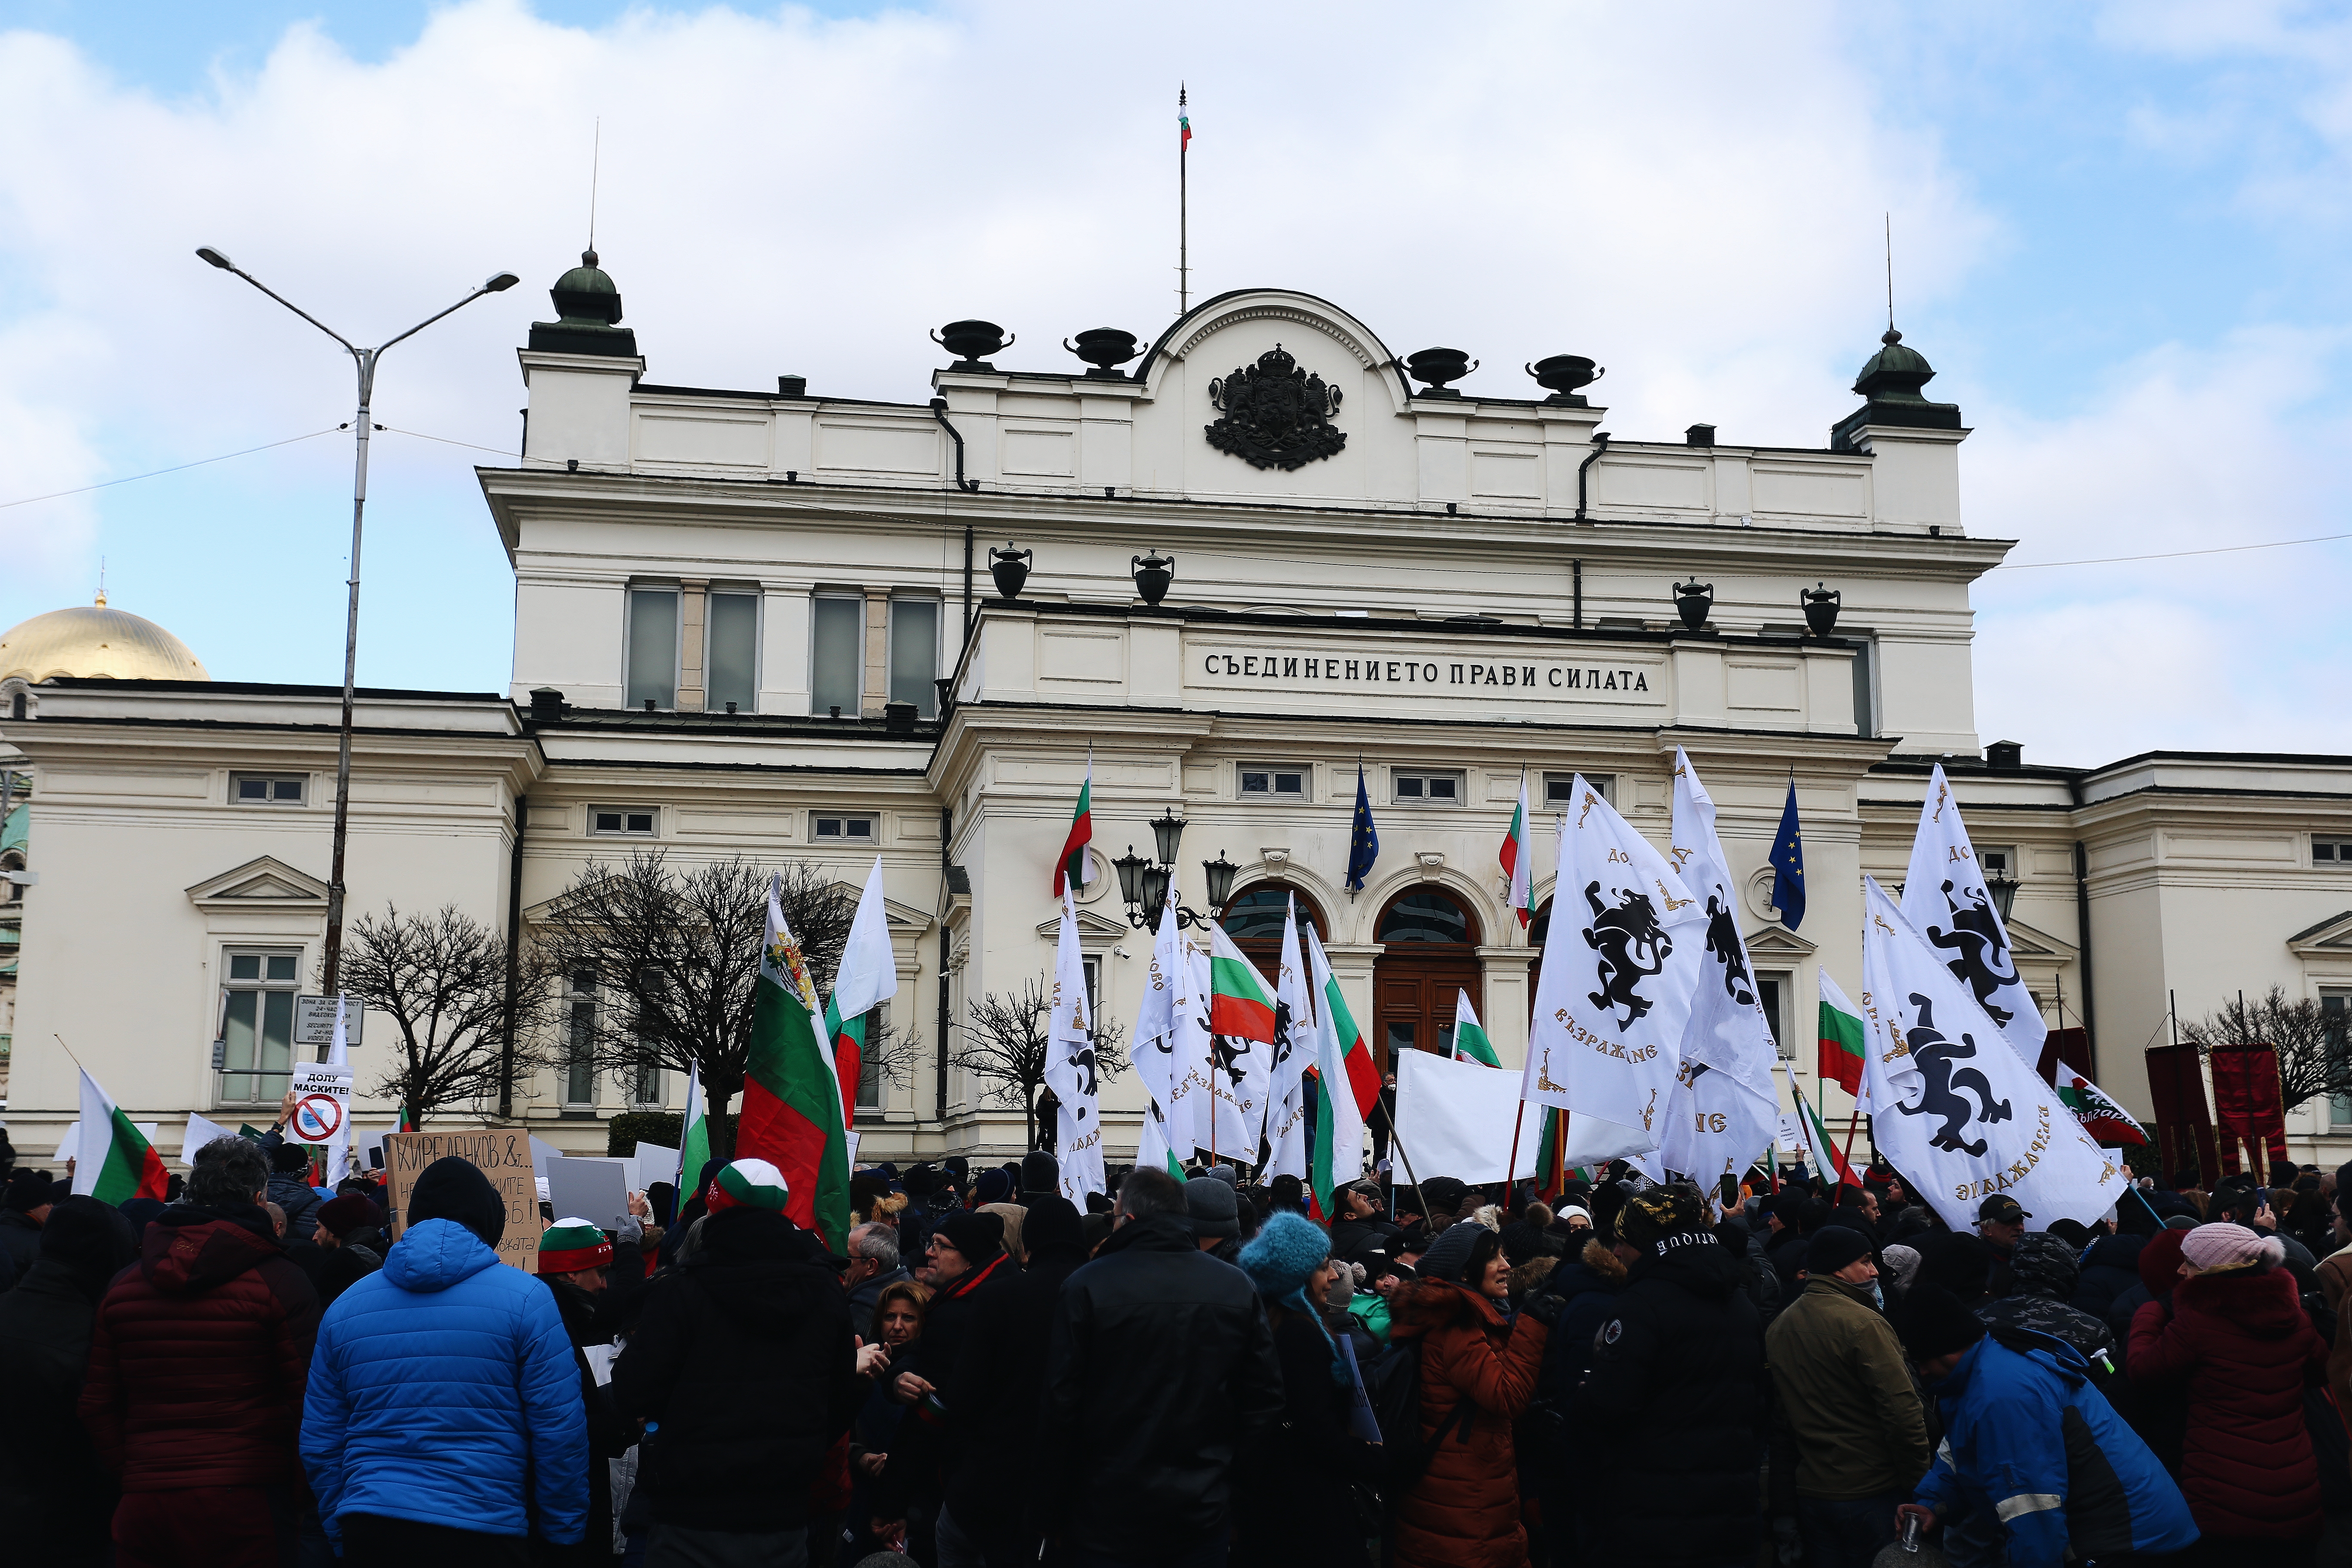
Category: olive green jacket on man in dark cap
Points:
column 1847, row 1395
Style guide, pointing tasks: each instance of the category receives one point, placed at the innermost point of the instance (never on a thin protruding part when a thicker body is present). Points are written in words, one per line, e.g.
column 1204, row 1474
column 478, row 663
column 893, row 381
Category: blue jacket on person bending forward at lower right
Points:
column 2036, row 1447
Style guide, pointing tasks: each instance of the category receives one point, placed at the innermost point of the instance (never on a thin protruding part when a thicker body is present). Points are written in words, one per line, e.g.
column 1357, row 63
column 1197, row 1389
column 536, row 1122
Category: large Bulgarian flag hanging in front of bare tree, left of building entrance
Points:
column 791, row 1097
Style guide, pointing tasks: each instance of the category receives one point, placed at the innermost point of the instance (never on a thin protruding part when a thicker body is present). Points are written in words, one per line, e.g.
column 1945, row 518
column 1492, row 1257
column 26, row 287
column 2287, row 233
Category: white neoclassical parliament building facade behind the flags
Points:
column 768, row 624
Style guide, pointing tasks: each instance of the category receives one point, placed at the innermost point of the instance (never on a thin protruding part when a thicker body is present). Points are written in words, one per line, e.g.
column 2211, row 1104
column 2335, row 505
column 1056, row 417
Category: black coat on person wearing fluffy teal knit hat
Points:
column 1295, row 1489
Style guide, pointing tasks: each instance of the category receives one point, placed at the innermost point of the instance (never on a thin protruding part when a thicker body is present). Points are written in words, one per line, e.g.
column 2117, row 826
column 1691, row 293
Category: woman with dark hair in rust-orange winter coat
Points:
column 1478, row 1372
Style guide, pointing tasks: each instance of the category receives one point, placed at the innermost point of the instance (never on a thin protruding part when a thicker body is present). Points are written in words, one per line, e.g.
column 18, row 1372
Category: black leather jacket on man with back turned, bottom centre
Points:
column 1161, row 1369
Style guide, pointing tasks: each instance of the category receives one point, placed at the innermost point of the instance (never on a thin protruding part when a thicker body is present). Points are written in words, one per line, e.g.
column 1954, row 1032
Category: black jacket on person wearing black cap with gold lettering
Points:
column 1678, row 1379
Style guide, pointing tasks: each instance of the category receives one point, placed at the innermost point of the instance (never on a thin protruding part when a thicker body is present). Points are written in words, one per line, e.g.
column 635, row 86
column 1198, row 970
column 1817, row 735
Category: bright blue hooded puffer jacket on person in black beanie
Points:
column 413, row 1407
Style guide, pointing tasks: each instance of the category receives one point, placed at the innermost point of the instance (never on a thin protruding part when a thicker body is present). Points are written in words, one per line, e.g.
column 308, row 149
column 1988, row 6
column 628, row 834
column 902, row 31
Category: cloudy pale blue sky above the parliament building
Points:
column 2120, row 239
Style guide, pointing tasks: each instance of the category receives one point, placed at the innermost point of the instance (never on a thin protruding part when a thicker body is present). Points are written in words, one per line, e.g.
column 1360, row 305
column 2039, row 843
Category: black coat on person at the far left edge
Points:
column 55, row 1494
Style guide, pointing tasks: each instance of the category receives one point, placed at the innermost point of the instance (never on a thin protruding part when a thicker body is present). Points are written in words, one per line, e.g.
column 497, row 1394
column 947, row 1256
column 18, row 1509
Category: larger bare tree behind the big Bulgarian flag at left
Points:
column 671, row 963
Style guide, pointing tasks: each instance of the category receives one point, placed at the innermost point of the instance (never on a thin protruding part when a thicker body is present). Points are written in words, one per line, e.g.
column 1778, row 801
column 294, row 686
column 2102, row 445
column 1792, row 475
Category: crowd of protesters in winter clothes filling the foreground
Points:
column 1182, row 1374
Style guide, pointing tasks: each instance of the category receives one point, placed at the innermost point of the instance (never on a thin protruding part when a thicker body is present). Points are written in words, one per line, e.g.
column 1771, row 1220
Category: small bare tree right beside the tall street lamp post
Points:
column 441, row 979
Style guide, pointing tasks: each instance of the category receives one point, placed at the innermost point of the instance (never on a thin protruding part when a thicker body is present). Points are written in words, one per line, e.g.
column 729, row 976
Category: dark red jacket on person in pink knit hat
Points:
column 2245, row 1348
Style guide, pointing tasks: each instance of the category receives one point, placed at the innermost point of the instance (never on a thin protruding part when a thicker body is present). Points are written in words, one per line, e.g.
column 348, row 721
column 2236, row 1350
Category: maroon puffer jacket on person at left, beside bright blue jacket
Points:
column 199, row 1358
